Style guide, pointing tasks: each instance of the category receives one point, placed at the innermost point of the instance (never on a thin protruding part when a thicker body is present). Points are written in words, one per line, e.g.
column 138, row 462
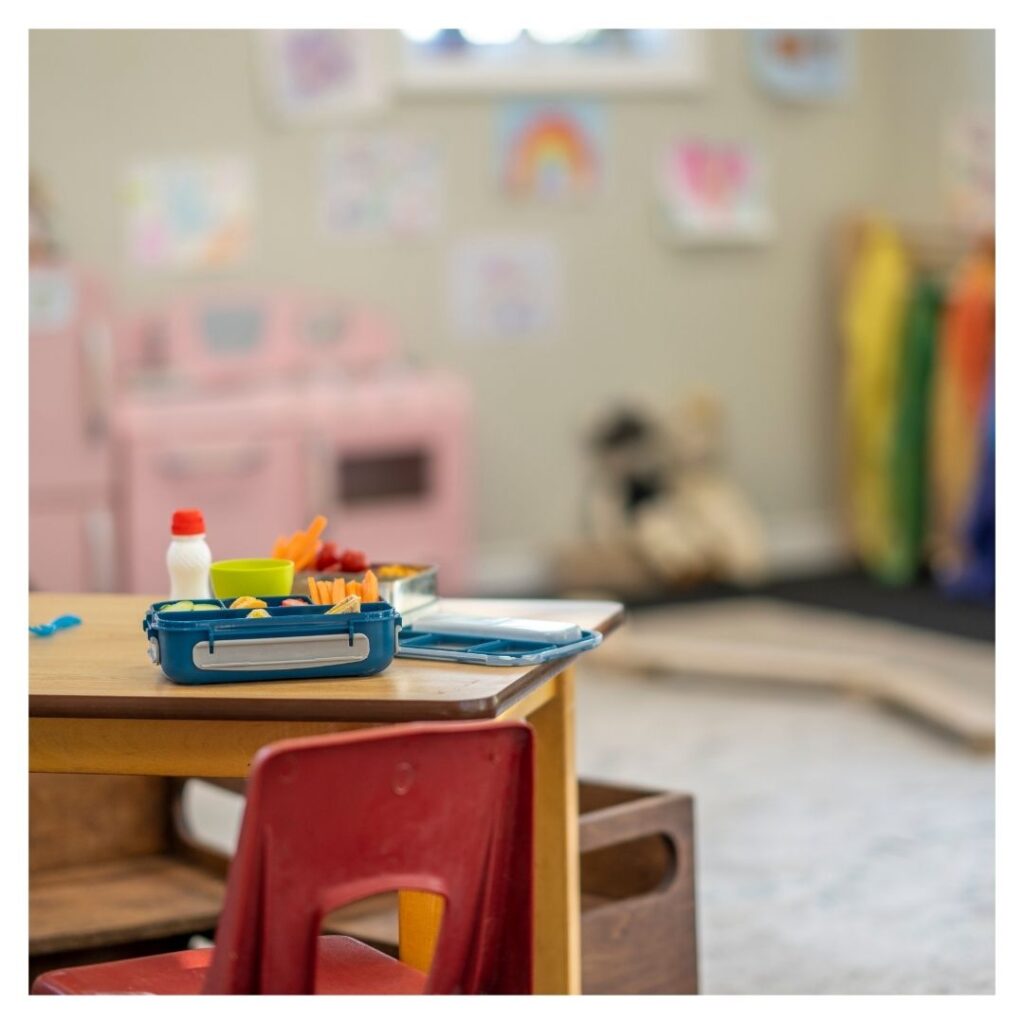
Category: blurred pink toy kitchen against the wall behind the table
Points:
column 263, row 408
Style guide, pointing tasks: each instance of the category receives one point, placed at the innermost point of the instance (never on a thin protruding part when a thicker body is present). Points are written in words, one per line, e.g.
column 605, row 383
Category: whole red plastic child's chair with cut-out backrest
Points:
column 440, row 808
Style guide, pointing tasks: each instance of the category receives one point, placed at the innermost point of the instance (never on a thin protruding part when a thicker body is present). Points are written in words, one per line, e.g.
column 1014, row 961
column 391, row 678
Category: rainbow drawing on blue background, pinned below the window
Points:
column 549, row 150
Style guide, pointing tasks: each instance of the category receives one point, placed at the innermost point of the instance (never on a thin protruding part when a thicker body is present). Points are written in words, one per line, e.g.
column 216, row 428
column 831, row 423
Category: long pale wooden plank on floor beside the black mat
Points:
column 948, row 682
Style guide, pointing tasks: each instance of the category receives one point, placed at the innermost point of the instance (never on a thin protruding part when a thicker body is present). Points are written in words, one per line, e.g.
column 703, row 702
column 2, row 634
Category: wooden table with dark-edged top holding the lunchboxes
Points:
column 97, row 706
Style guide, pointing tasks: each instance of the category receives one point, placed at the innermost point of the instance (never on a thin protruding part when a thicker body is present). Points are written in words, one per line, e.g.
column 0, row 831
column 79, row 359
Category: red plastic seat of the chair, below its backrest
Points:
column 345, row 967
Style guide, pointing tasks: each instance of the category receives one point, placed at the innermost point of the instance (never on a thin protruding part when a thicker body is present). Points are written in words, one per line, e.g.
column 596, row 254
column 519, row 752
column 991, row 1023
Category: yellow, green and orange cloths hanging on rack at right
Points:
column 909, row 462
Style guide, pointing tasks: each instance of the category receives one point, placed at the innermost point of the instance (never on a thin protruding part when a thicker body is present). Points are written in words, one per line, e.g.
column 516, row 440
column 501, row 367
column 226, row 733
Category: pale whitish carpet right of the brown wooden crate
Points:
column 841, row 849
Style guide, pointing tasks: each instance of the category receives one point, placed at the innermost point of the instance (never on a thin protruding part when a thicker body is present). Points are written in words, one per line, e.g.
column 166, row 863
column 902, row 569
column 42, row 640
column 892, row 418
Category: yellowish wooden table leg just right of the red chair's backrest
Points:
column 557, row 916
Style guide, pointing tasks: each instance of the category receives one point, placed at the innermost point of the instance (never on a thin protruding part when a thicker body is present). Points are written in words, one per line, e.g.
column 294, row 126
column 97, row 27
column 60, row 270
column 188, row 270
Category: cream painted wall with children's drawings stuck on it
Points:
column 641, row 317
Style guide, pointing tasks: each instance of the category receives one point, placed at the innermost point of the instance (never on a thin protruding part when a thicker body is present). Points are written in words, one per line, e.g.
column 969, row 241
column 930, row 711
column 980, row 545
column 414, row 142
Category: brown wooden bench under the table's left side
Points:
column 113, row 870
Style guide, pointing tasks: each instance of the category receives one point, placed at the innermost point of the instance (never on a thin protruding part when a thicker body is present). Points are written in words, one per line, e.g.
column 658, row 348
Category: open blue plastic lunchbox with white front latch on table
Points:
column 224, row 646
